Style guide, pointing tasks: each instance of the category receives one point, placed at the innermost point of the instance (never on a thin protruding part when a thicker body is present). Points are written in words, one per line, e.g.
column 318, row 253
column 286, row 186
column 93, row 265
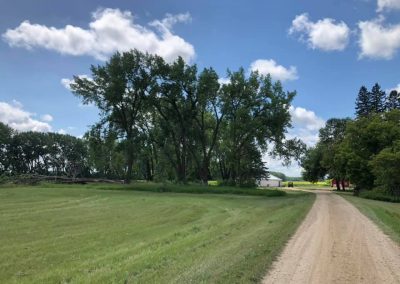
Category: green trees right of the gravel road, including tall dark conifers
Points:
column 364, row 150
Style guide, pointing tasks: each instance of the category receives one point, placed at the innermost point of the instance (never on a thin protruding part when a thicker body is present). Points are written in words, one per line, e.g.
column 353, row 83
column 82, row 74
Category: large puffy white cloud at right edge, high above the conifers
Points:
column 378, row 41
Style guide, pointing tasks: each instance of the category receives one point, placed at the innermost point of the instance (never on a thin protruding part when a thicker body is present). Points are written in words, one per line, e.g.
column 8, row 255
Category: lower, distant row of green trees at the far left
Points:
column 41, row 153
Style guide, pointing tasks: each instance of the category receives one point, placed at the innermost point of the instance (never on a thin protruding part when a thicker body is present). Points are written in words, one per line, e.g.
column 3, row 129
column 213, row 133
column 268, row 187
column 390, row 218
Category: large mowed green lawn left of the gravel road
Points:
column 80, row 234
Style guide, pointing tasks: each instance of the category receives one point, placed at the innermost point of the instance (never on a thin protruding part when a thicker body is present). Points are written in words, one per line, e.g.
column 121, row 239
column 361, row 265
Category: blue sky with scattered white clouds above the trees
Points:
column 325, row 50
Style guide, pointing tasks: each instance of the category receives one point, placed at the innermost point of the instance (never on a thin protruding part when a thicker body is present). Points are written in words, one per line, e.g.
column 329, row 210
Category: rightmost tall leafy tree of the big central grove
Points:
column 256, row 113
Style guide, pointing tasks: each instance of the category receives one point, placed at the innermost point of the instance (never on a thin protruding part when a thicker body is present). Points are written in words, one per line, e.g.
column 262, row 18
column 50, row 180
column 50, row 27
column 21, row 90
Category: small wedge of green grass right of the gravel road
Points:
column 385, row 214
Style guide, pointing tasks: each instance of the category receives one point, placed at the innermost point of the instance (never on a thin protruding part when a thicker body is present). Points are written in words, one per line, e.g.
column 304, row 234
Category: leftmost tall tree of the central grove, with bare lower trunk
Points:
column 119, row 90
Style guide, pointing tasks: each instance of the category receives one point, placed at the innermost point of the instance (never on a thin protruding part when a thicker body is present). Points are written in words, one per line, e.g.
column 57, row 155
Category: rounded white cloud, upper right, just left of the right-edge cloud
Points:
column 325, row 34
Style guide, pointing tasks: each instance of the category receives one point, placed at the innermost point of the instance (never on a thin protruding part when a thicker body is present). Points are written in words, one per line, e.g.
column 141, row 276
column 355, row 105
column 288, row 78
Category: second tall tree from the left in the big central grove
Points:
column 175, row 103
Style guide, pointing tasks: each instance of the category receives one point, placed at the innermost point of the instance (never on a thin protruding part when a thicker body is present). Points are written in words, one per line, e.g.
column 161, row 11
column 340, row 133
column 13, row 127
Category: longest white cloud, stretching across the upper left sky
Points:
column 109, row 31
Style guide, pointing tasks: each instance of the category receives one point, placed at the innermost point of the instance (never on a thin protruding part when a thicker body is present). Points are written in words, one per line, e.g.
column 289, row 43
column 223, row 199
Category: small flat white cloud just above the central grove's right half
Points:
column 277, row 72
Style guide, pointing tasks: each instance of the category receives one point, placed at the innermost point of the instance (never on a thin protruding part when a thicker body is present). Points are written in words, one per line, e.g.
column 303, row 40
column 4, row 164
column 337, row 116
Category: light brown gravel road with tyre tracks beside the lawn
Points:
column 337, row 244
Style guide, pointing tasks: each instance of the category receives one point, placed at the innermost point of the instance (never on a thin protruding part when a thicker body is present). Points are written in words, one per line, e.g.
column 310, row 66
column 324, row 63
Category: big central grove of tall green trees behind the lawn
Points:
column 168, row 121
